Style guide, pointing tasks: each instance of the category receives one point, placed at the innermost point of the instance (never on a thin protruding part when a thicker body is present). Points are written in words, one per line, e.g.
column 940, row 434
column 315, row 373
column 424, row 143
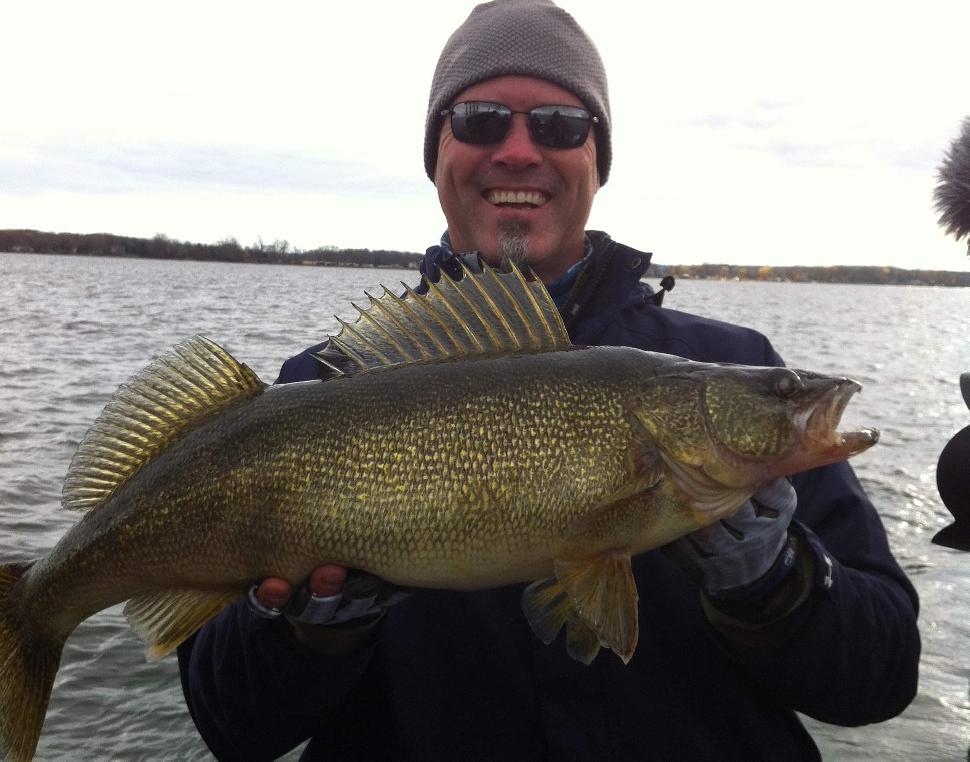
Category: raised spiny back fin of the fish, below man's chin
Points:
column 482, row 314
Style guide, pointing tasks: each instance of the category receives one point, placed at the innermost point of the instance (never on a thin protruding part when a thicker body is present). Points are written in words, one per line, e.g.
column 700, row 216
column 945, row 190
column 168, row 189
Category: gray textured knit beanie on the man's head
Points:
column 526, row 37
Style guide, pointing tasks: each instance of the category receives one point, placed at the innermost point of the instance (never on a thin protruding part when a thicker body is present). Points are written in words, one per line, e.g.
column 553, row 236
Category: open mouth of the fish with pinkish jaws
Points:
column 818, row 420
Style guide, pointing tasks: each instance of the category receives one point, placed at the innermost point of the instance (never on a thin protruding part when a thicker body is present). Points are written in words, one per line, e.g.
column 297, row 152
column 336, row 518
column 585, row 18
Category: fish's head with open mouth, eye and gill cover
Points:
column 743, row 426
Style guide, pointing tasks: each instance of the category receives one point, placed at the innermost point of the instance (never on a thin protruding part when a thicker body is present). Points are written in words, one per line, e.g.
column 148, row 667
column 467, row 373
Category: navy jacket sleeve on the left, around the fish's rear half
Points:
column 253, row 690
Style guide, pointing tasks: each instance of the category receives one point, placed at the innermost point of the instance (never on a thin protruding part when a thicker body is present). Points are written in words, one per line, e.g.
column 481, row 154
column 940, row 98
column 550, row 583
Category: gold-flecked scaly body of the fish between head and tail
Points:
column 448, row 495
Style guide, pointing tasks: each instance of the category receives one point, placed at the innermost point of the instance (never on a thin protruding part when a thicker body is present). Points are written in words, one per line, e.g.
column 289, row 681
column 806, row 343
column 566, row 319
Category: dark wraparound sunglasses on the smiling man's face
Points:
column 482, row 123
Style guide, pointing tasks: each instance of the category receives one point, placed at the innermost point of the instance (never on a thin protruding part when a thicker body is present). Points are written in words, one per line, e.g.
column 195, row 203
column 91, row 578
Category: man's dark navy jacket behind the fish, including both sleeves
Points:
column 459, row 676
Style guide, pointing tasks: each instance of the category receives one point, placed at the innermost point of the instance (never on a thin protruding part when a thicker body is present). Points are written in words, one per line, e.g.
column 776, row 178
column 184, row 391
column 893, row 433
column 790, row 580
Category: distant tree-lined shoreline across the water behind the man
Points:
column 280, row 252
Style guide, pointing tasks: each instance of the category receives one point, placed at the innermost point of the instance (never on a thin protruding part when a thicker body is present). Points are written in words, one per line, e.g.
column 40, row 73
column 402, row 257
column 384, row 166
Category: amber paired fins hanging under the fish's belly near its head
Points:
column 595, row 597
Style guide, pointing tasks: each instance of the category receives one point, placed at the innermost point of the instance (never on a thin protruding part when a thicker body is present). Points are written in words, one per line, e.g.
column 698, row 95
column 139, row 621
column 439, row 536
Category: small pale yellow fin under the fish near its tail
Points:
column 166, row 619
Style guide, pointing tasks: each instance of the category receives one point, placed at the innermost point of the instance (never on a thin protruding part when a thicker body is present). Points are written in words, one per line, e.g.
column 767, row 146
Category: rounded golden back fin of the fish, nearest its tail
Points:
column 179, row 390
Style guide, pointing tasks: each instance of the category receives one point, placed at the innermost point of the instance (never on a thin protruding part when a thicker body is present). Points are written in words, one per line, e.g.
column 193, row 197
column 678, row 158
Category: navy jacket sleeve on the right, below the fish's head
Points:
column 850, row 654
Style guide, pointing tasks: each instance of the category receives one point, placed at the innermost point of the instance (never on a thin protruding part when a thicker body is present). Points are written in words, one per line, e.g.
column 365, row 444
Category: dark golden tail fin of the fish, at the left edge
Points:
column 27, row 668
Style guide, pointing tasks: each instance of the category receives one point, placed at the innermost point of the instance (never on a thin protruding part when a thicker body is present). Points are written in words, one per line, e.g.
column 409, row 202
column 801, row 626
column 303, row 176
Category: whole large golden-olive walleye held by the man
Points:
column 460, row 442
